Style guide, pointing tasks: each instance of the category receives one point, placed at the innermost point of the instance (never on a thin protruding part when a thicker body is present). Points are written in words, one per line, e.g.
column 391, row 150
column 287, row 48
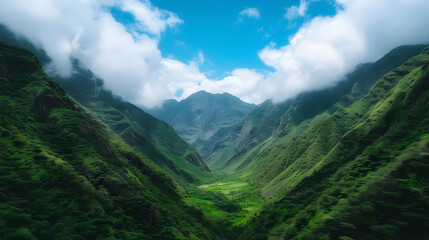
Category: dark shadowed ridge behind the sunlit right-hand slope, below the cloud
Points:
column 270, row 119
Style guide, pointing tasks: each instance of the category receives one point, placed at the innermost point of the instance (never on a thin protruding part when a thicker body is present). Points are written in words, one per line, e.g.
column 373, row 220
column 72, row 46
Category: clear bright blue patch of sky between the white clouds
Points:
column 213, row 28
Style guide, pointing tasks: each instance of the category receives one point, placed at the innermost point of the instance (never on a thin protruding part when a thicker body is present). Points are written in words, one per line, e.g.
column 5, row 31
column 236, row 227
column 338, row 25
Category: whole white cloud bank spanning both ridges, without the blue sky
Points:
column 127, row 57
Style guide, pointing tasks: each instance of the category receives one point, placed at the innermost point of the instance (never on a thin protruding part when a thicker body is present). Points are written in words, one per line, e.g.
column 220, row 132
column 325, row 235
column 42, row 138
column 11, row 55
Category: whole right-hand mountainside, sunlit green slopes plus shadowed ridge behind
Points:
column 323, row 156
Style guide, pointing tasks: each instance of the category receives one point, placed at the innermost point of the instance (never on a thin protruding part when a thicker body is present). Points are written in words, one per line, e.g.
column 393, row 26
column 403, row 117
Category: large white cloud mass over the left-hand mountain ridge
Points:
column 130, row 63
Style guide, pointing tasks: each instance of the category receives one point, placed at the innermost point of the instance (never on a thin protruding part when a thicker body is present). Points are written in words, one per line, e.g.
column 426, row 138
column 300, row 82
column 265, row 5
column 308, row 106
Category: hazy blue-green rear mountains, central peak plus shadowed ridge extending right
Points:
column 223, row 128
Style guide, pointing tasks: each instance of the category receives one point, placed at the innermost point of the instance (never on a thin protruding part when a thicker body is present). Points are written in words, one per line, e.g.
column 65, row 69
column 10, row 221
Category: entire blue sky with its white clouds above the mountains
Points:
column 147, row 51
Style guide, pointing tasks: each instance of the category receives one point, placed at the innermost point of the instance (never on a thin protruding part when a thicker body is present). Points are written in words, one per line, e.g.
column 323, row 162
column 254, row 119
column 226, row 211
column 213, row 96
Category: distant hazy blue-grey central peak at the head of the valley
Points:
column 203, row 119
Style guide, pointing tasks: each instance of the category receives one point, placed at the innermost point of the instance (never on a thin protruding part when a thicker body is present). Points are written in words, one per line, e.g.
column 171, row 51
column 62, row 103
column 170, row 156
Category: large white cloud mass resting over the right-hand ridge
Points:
column 327, row 48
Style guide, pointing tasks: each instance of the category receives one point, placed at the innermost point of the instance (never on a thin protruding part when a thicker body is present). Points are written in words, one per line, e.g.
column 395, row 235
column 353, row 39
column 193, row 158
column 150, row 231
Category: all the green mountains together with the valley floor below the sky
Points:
column 347, row 162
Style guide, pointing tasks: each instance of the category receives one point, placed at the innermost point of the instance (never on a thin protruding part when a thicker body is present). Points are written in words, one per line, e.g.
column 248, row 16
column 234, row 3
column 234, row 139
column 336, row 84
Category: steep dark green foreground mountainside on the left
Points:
column 64, row 174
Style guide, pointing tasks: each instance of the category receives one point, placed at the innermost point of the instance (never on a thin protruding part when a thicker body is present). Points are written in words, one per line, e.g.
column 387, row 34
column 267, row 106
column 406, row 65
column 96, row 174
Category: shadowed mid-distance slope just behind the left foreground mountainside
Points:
column 146, row 134
